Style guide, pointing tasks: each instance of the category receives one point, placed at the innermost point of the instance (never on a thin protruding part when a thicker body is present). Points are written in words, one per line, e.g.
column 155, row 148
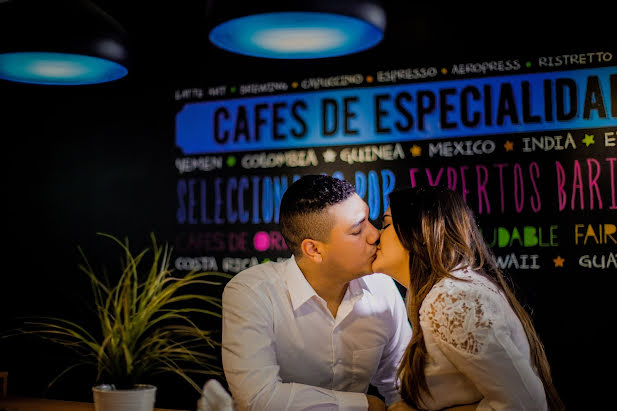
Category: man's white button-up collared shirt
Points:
column 283, row 350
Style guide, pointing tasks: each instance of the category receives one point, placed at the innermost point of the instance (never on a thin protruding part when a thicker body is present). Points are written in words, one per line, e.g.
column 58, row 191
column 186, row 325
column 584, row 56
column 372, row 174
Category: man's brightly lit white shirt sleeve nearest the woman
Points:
column 385, row 379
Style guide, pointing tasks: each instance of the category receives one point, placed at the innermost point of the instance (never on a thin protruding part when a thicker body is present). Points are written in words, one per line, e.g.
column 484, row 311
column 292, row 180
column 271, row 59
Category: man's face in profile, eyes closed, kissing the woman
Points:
column 351, row 248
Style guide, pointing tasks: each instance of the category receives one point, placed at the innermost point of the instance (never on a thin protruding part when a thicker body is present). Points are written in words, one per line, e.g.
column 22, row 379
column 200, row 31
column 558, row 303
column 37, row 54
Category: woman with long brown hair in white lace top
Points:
column 472, row 340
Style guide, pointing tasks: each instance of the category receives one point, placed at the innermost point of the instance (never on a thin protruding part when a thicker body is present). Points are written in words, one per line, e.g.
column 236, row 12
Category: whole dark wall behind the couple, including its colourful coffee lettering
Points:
column 538, row 166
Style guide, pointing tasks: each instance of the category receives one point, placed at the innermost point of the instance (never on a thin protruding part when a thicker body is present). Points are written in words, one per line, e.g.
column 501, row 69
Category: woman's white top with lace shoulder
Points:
column 477, row 348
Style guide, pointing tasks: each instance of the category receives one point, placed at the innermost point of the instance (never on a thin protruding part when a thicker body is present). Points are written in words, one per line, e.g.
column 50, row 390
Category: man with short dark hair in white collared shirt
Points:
column 314, row 331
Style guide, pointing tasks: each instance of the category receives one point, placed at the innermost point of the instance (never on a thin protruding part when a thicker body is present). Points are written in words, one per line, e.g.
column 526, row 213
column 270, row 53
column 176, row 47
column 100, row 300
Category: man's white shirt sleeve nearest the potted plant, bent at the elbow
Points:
column 250, row 364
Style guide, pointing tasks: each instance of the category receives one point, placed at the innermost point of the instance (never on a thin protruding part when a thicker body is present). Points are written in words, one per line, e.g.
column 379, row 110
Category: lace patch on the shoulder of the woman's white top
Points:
column 458, row 316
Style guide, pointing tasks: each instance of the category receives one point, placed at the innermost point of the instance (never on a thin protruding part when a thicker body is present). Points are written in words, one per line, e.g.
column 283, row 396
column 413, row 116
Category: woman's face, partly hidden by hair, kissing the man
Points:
column 392, row 258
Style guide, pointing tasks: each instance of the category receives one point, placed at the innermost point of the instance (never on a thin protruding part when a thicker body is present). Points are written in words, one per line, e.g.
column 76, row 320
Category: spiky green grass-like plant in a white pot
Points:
column 148, row 324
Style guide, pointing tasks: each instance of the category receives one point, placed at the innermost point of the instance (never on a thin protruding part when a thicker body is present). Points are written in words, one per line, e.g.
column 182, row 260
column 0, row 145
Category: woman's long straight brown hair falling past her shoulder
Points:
column 440, row 232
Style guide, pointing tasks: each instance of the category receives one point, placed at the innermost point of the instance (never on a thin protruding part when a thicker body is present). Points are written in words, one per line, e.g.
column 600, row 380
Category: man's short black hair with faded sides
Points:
column 304, row 208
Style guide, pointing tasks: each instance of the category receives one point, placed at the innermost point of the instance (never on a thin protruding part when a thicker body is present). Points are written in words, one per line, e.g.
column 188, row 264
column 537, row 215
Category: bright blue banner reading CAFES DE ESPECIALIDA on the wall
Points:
column 444, row 109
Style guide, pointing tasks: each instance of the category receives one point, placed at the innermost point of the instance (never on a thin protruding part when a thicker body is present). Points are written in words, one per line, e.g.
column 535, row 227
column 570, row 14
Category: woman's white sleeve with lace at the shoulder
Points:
column 471, row 331
